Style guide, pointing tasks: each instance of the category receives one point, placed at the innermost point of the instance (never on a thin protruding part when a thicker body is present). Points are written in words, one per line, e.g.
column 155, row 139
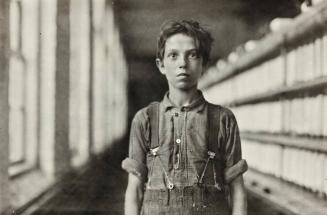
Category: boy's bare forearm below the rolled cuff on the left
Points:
column 133, row 195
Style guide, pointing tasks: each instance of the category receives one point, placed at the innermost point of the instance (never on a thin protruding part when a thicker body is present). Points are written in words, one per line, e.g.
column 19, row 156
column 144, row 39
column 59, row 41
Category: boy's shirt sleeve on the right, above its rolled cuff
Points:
column 233, row 152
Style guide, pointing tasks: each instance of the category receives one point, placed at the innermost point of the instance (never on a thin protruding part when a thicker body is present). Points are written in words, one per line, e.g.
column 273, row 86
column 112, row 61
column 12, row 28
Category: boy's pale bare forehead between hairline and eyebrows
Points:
column 181, row 41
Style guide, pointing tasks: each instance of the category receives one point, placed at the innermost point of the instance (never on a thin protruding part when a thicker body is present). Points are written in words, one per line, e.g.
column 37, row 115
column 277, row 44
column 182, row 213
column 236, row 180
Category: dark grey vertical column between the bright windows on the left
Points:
column 62, row 153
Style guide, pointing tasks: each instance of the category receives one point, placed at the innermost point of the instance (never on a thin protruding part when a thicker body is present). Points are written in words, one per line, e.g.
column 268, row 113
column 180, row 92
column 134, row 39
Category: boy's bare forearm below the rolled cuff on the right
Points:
column 238, row 196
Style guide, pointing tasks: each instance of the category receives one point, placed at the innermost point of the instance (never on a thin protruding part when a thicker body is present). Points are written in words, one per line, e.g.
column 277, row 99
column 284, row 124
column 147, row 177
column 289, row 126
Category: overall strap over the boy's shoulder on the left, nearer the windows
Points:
column 153, row 113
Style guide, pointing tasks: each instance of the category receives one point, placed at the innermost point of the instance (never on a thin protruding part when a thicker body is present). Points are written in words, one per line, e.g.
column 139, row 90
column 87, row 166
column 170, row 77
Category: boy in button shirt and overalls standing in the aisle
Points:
column 185, row 150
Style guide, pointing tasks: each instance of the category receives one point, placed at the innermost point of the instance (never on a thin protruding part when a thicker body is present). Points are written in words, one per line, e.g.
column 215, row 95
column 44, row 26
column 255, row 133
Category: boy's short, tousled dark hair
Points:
column 190, row 28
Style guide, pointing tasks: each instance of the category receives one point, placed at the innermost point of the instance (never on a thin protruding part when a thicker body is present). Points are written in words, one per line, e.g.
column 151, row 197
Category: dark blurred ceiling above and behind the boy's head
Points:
column 231, row 22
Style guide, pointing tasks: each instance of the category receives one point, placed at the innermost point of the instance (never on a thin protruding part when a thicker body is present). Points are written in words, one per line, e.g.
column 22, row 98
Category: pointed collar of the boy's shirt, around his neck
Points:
column 197, row 105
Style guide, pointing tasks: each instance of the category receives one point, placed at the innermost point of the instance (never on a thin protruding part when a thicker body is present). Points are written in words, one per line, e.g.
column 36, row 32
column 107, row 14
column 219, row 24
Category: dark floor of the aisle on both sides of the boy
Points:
column 100, row 190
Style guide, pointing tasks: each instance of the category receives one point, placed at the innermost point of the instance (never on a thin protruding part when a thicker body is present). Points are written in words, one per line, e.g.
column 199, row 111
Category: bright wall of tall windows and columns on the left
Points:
column 63, row 92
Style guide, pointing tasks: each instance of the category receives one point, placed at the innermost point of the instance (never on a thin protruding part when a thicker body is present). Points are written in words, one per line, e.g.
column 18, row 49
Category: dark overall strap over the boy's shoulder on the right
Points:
column 213, row 127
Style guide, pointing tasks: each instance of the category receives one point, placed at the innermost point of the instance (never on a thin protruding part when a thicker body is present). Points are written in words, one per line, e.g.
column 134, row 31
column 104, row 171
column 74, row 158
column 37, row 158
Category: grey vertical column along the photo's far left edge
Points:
column 4, row 104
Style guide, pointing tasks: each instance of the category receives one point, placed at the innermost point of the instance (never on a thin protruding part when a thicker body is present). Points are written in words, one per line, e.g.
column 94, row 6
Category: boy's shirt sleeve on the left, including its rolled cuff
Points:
column 138, row 141
